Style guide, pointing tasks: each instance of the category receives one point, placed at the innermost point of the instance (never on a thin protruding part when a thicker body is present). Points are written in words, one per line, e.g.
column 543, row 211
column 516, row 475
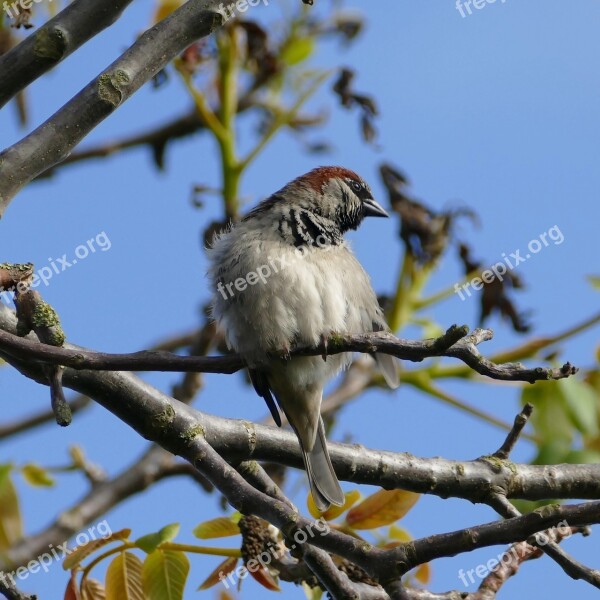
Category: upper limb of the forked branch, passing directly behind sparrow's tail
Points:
column 161, row 418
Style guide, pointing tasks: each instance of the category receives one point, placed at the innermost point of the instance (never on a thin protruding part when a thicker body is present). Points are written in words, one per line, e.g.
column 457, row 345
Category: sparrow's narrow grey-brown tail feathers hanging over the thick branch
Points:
column 324, row 485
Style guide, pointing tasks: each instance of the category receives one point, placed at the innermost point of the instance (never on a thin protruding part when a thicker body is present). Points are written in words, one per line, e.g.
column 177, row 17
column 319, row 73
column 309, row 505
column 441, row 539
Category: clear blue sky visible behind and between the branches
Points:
column 498, row 110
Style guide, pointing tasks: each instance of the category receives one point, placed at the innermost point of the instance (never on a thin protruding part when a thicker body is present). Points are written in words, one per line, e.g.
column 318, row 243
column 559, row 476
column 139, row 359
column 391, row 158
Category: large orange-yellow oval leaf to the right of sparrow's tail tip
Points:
column 382, row 508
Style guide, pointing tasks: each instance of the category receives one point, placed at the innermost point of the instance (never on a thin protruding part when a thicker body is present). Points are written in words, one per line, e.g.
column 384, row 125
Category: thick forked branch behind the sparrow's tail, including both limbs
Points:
column 204, row 441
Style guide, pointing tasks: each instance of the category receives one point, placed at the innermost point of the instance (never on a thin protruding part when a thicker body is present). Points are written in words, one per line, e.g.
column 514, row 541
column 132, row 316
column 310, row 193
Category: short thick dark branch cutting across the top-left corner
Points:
column 50, row 44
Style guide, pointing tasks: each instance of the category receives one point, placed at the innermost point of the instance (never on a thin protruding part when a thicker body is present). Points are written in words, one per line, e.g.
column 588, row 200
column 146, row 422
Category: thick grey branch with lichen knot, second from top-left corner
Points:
column 53, row 140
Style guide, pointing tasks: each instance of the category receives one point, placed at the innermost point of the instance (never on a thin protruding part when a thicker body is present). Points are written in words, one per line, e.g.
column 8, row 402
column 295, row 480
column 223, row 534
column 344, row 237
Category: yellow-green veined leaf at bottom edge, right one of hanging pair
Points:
column 164, row 575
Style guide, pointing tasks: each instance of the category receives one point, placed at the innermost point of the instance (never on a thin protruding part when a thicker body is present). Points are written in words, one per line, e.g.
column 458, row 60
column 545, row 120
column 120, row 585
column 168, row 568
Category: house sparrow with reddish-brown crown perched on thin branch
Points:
column 285, row 276
